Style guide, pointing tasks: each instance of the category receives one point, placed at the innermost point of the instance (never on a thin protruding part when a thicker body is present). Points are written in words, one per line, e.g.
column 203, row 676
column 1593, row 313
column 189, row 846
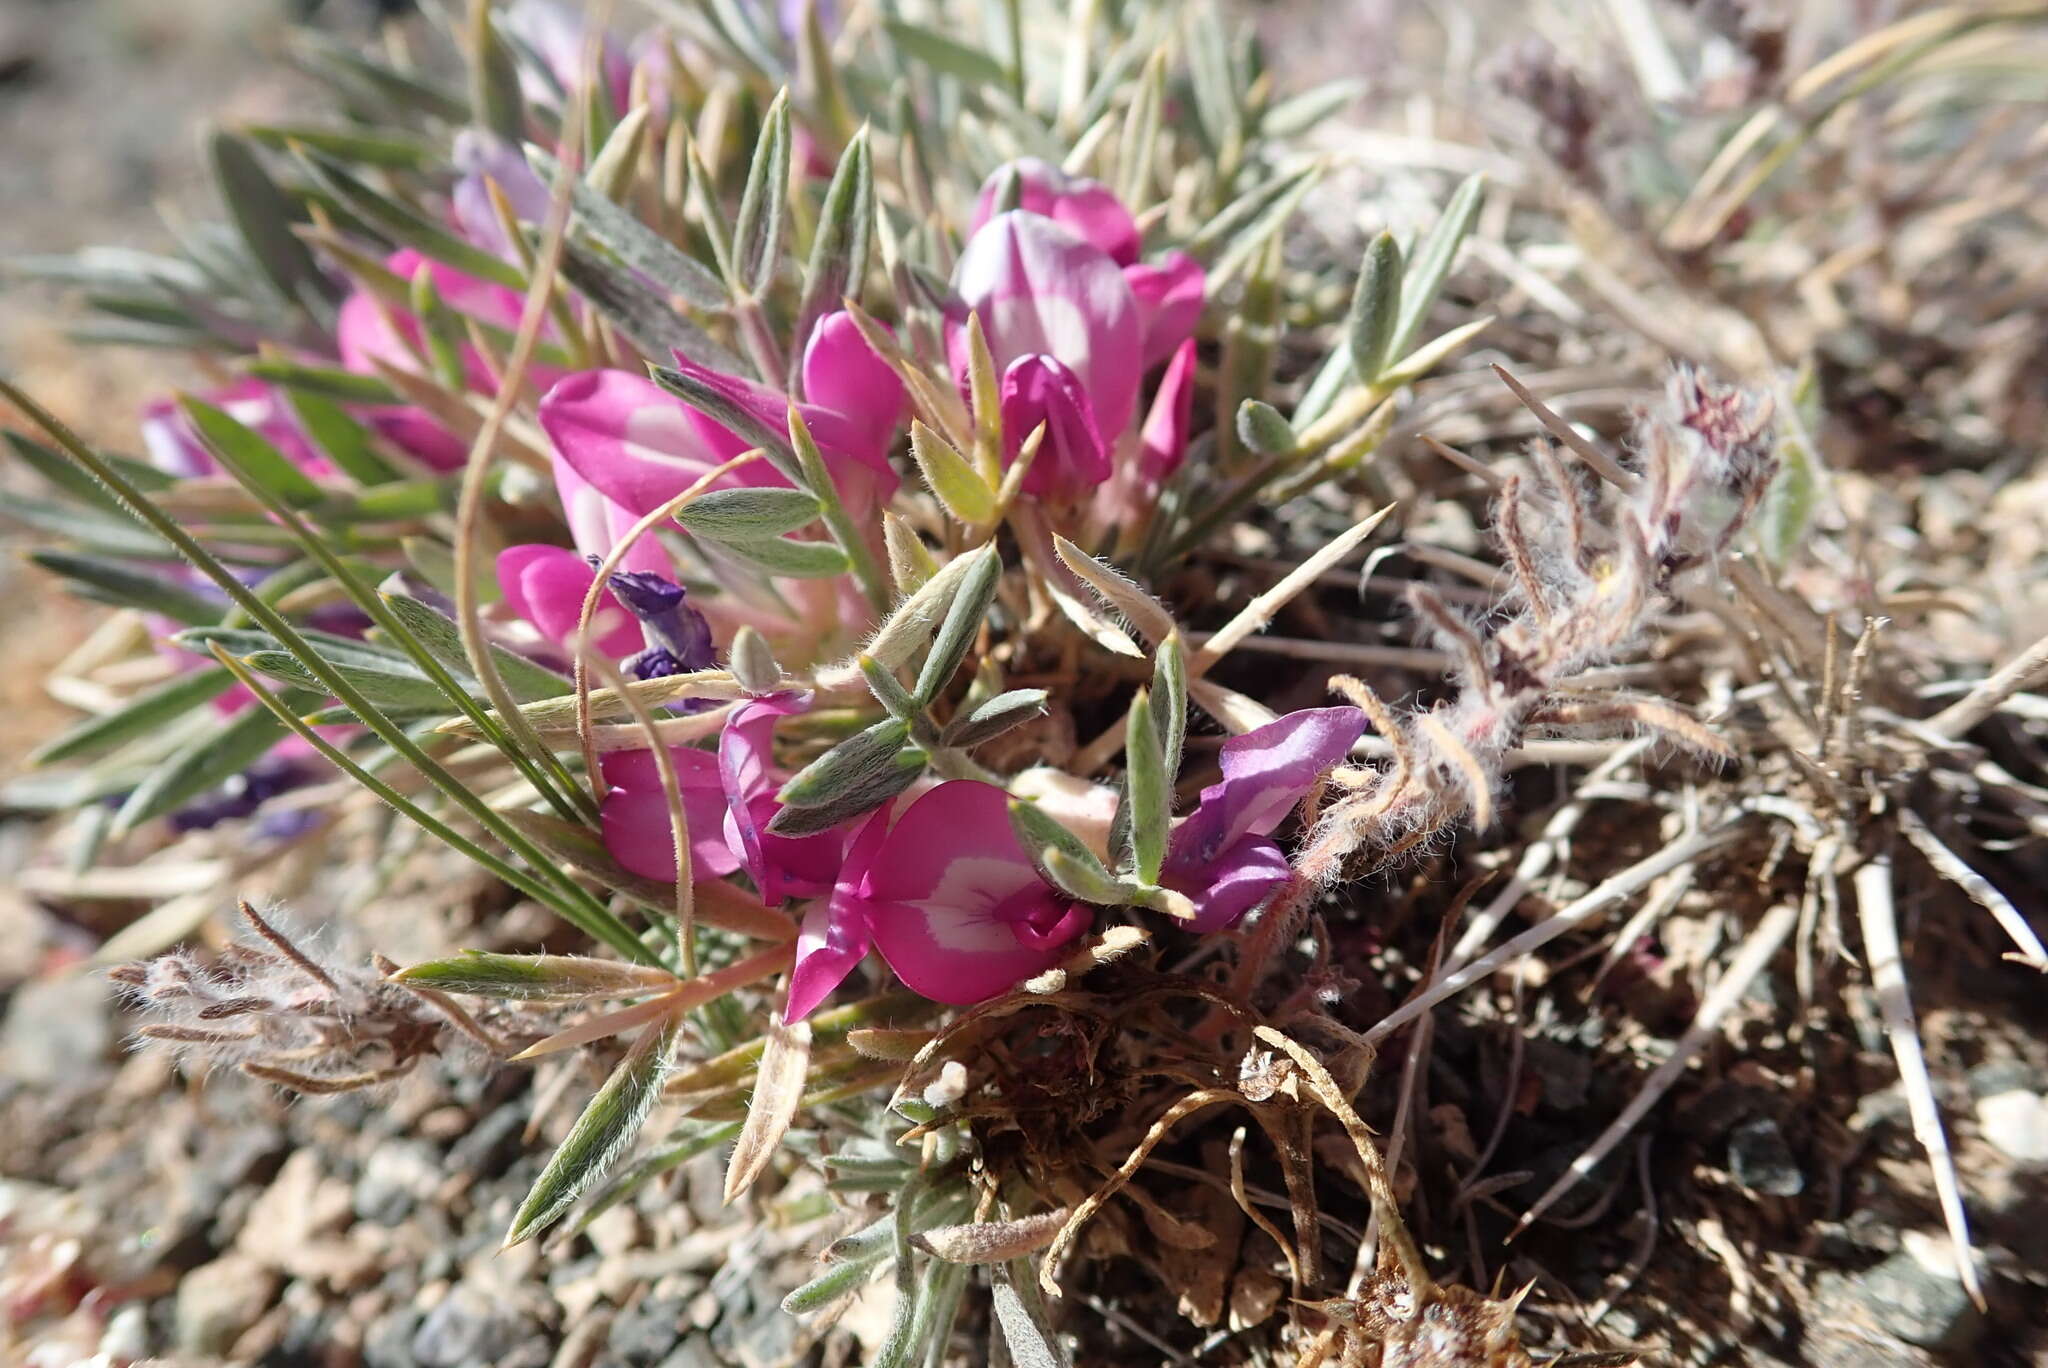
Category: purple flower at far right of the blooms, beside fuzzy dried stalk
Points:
column 1222, row 855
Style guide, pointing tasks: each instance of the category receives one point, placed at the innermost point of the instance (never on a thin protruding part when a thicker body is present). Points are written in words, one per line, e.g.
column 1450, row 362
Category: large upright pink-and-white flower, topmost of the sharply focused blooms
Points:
column 1074, row 323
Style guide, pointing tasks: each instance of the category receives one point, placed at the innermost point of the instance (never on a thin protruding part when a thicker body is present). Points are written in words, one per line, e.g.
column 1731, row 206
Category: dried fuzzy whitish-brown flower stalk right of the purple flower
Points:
column 1586, row 579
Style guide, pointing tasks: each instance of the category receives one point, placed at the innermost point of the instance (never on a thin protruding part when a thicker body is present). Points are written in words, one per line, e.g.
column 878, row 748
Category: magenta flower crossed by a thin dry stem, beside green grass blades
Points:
column 730, row 802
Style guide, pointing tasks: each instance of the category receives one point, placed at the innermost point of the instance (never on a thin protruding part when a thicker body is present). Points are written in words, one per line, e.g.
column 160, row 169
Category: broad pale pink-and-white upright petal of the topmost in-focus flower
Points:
column 1041, row 288
